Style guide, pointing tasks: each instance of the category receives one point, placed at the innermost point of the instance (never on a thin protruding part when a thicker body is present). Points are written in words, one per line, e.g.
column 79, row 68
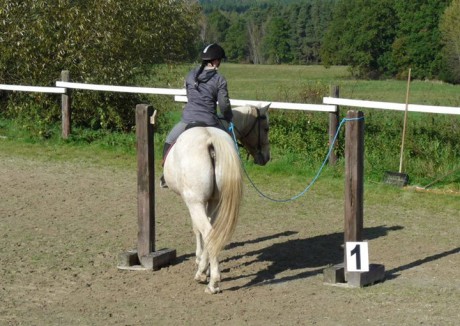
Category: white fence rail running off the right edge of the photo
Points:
column 392, row 106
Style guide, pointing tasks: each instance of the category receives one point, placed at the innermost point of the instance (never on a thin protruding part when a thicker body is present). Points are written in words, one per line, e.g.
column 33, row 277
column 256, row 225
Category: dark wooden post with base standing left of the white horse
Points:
column 145, row 257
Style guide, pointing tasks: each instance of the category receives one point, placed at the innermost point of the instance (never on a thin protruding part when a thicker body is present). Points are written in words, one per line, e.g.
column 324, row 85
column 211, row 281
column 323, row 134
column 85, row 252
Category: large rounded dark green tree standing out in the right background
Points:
column 360, row 34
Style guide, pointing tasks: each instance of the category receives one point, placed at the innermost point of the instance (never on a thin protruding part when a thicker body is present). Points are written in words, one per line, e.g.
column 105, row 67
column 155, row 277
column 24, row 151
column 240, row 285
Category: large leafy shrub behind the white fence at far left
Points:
column 102, row 42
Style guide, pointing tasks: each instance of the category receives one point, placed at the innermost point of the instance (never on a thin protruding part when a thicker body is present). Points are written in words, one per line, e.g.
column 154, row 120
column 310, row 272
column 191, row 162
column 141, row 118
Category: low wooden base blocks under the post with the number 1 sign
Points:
column 335, row 275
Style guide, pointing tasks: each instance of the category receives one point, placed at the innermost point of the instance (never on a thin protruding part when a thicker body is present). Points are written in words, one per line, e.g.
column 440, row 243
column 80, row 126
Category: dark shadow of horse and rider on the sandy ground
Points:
column 313, row 254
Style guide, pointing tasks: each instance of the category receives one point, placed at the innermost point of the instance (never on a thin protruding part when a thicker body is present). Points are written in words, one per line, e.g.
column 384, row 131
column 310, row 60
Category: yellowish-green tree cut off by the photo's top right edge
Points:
column 450, row 29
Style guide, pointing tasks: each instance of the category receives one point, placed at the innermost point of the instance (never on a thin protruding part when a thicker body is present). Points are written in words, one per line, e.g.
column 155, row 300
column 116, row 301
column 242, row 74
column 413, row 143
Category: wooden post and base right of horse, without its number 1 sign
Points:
column 354, row 192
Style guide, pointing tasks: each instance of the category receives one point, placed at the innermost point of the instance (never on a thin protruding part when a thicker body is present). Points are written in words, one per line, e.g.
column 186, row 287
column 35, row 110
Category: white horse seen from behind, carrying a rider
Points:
column 204, row 168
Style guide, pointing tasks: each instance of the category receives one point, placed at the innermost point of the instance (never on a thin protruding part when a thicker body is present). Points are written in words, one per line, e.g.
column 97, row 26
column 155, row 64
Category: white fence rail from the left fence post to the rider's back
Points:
column 122, row 89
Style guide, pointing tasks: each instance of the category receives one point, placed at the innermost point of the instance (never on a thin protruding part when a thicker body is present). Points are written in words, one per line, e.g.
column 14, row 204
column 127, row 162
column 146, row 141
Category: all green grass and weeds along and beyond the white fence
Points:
column 299, row 139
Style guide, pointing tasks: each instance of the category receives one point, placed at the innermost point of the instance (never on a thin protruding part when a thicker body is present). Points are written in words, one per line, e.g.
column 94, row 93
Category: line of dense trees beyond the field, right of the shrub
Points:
column 376, row 38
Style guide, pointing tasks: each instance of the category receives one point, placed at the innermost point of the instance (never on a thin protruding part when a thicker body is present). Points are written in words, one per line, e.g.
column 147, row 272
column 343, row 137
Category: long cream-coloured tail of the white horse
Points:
column 229, row 183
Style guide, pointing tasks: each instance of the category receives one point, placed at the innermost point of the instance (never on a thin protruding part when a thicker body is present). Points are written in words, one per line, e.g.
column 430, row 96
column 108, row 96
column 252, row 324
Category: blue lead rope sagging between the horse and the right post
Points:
column 331, row 147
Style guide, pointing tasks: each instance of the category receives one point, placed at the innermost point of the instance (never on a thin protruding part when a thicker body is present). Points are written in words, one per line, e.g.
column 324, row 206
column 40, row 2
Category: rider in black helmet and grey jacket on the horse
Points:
column 205, row 87
